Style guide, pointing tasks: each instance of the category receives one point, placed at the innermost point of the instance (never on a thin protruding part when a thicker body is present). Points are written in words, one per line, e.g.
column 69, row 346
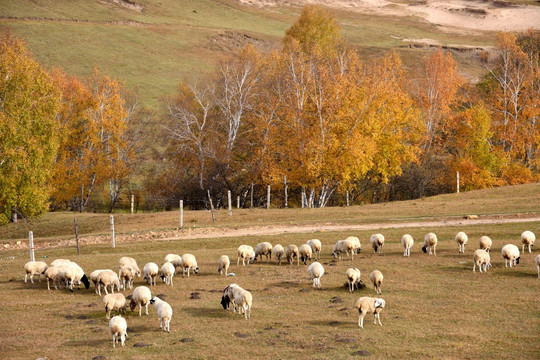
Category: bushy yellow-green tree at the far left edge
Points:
column 29, row 101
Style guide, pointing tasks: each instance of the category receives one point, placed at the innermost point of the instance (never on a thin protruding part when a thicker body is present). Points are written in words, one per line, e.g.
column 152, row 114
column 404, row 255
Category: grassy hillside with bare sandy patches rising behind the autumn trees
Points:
column 152, row 44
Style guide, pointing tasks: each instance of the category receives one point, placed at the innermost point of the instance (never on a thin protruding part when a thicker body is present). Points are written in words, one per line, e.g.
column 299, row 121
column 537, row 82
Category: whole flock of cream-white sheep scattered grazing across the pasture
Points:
column 62, row 272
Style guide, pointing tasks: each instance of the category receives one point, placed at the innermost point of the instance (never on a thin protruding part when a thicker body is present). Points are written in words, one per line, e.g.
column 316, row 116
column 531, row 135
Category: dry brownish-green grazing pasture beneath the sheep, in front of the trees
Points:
column 436, row 307
